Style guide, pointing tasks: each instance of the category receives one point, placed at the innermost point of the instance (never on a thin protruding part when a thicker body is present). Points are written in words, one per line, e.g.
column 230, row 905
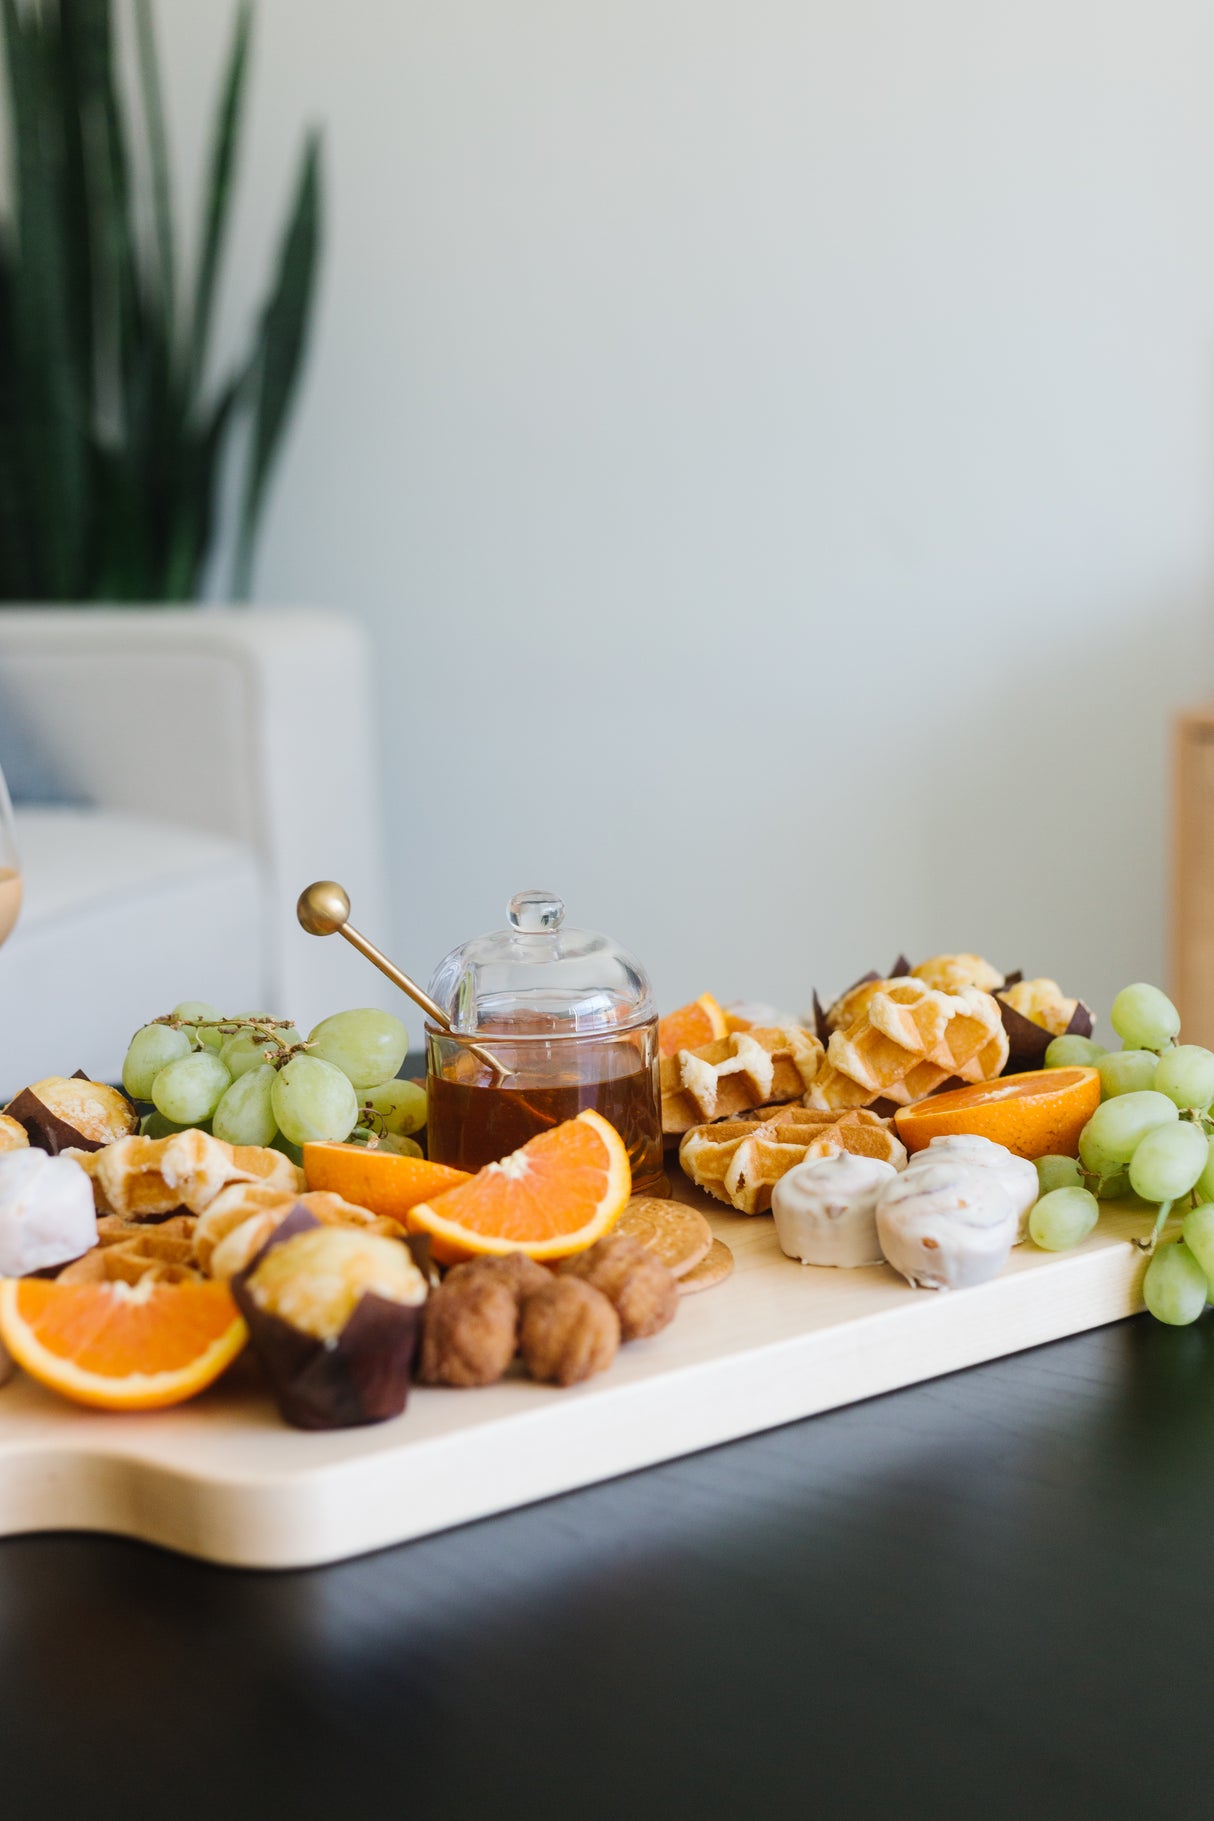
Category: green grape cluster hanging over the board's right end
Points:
column 1153, row 1135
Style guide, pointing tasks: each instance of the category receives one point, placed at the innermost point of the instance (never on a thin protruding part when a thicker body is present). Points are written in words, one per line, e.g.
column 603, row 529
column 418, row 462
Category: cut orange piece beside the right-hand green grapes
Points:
column 1038, row 1114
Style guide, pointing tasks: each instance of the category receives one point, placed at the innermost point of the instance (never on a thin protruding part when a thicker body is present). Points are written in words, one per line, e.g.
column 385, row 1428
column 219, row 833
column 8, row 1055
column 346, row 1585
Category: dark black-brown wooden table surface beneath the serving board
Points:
column 987, row 1596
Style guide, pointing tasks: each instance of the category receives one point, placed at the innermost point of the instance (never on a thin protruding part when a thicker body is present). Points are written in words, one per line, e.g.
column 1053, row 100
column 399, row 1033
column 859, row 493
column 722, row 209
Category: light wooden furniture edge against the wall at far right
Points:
column 1193, row 873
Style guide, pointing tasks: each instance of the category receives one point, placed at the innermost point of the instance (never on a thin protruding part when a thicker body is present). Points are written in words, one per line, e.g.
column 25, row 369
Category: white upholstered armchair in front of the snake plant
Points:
column 179, row 778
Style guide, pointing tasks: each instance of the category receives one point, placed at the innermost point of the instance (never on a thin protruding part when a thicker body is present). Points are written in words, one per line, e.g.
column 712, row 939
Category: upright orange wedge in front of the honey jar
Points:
column 554, row 1197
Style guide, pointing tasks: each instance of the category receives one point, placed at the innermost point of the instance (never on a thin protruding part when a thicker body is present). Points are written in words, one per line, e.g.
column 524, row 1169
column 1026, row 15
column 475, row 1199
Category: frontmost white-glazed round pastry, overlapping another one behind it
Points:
column 947, row 1225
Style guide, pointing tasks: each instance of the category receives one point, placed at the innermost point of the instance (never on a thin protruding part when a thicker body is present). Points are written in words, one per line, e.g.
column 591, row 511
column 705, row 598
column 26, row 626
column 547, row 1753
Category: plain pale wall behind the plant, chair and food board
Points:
column 773, row 451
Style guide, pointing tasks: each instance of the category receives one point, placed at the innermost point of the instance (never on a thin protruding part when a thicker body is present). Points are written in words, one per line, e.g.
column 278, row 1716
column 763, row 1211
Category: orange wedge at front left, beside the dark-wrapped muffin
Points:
column 121, row 1347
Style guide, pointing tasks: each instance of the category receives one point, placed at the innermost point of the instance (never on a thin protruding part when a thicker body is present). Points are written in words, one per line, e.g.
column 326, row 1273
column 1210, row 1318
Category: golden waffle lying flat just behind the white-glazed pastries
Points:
column 742, row 1161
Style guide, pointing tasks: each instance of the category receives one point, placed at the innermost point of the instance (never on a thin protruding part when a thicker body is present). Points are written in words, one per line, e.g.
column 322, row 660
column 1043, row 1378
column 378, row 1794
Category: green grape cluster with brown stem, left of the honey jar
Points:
column 254, row 1081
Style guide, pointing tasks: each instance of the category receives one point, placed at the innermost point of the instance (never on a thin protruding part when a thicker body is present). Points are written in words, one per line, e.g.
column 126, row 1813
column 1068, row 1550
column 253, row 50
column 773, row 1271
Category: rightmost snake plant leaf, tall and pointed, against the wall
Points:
column 281, row 351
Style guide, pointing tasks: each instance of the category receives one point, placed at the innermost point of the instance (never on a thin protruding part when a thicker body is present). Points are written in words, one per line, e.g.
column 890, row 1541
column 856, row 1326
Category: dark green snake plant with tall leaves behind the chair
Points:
column 112, row 440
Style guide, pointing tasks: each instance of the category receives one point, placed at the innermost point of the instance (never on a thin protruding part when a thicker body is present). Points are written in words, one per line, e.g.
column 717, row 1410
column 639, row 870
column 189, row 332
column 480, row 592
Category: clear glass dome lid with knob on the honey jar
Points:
column 541, row 979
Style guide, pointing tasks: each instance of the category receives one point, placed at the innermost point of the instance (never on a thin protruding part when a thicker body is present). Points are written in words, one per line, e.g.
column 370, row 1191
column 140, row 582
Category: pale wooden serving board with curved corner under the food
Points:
column 365, row 1490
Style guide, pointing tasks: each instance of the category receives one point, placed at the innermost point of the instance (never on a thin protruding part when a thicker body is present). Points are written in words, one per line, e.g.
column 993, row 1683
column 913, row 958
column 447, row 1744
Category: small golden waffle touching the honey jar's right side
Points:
column 738, row 1073
